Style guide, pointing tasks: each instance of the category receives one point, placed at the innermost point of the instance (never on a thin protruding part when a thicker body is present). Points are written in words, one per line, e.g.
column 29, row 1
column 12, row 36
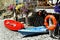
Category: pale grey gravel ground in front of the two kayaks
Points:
column 6, row 34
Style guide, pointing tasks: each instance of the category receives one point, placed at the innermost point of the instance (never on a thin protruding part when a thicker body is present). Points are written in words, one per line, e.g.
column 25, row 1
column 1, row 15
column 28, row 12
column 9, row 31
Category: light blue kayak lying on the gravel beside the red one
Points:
column 33, row 30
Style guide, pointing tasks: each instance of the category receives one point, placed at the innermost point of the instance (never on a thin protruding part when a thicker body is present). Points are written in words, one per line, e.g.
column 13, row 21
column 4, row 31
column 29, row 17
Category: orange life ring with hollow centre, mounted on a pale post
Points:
column 53, row 26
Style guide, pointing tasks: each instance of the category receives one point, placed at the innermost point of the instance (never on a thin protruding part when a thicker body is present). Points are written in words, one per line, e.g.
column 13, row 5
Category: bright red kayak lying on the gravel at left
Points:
column 13, row 25
